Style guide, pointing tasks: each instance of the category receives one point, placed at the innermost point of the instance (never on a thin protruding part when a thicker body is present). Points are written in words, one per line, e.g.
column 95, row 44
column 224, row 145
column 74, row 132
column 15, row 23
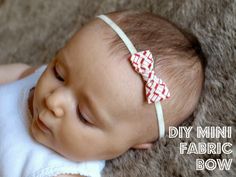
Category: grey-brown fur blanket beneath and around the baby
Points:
column 31, row 31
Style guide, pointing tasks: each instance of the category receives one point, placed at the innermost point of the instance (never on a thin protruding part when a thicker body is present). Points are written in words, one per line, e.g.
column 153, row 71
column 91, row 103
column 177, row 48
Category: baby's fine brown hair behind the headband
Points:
column 179, row 60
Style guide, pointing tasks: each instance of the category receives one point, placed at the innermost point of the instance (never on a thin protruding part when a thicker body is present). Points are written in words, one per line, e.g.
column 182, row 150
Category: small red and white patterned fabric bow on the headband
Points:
column 156, row 89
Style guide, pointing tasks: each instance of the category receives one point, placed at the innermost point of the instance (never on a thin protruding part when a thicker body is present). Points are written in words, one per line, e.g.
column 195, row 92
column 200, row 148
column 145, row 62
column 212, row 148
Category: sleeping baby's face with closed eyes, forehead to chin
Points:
column 89, row 103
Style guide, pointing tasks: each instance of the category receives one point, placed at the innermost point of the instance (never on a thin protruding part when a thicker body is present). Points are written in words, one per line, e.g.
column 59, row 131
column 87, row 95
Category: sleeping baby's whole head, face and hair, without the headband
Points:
column 90, row 103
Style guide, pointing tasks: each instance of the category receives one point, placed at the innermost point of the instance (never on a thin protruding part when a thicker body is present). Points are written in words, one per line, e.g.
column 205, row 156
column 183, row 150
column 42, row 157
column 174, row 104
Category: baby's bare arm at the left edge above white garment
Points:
column 13, row 72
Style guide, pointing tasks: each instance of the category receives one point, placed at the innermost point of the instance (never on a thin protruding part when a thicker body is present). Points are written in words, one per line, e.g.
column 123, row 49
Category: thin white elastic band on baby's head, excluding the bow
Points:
column 132, row 49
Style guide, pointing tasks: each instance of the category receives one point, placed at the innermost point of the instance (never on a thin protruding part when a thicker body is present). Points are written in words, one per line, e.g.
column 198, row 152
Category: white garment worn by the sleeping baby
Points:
column 20, row 154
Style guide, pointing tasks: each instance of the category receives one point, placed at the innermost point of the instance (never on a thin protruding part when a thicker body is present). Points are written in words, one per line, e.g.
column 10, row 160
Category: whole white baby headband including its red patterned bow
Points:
column 143, row 63
